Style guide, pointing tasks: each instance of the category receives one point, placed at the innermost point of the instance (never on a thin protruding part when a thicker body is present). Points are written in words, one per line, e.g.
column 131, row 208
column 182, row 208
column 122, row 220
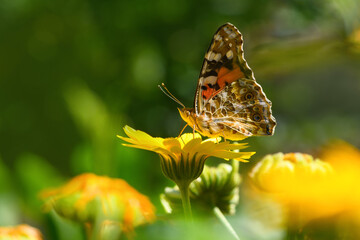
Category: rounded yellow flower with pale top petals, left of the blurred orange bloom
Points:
column 300, row 182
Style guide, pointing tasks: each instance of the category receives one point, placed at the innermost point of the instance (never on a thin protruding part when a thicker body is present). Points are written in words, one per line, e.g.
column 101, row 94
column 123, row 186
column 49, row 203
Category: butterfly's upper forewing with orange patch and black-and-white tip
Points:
column 223, row 64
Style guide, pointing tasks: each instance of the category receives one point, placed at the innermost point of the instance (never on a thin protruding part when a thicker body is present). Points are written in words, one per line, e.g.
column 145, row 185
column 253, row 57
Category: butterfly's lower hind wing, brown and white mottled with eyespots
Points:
column 242, row 108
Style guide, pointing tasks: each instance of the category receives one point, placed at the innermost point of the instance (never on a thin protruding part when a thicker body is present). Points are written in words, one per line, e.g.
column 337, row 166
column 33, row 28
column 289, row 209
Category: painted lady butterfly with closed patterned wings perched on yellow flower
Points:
column 229, row 102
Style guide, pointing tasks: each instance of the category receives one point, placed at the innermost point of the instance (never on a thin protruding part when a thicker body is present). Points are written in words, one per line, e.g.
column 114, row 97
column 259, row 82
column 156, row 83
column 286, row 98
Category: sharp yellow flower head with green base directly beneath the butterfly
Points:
column 183, row 157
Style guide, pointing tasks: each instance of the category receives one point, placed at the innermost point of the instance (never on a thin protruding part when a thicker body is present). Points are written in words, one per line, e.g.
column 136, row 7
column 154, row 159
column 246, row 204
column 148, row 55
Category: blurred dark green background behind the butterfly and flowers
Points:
column 73, row 73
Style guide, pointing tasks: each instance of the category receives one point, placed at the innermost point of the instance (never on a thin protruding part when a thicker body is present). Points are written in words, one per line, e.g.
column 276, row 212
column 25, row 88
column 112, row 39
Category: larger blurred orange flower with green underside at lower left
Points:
column 88, row 198
